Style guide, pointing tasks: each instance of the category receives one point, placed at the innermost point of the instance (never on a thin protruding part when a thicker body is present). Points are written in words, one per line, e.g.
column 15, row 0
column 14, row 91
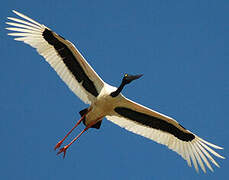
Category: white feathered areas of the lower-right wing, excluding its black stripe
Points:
column 195, row 150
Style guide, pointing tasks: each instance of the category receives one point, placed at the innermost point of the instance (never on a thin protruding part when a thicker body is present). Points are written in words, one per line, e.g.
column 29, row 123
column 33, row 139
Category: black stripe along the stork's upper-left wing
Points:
column 71, row 62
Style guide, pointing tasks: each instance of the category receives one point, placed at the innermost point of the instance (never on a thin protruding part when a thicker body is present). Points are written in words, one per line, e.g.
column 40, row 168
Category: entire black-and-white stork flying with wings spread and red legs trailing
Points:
column 107, row 101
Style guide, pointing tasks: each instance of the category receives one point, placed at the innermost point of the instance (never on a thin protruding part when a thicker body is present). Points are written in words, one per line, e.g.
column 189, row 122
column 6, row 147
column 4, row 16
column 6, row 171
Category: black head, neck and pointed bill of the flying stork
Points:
column 125, row 80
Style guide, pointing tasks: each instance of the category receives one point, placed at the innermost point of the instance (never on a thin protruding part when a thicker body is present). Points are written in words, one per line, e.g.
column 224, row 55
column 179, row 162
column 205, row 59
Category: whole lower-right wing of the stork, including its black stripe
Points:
column 164, row 130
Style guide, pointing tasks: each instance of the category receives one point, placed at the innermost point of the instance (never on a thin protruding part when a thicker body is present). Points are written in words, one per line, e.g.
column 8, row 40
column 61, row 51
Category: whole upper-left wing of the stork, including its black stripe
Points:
column 61, row 54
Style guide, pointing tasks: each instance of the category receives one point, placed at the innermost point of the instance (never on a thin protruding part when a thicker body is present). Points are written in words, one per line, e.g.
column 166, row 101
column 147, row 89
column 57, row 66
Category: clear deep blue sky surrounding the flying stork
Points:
column 181, row 47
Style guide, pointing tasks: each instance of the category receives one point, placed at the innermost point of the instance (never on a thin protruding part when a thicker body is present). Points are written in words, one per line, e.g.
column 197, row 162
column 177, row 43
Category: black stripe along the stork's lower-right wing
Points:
column 154, row 122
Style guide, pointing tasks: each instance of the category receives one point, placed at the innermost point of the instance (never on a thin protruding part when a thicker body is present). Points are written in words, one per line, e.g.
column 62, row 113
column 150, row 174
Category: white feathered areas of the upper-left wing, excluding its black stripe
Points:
column 30, row 32
